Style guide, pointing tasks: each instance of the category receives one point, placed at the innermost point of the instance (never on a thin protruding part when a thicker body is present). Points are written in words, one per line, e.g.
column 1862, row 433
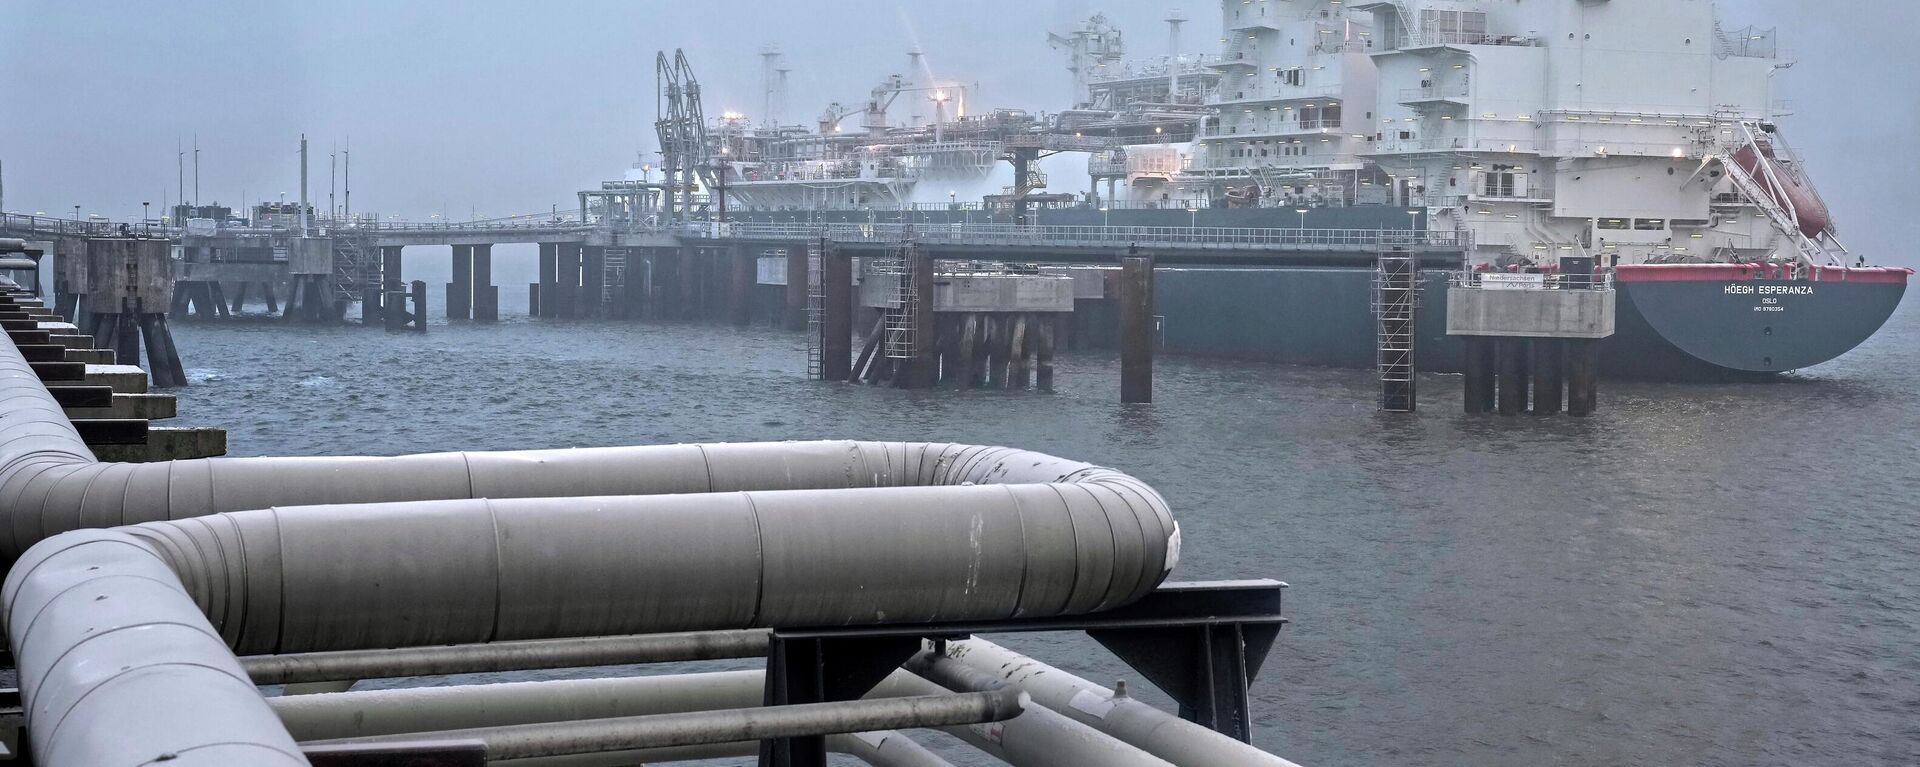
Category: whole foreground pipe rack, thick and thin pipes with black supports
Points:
column 145, row 603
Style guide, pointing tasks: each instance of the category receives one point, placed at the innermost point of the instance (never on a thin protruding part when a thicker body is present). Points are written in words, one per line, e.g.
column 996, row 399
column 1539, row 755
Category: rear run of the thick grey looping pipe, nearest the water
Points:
column 51, row 482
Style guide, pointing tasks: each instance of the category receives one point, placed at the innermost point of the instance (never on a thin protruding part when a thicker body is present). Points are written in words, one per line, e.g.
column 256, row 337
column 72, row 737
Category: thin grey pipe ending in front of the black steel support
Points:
column 731, row 726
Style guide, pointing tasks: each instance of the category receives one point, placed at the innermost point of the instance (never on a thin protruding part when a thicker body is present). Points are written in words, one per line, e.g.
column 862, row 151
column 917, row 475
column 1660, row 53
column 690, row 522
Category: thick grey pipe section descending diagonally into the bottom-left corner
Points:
column 118, row 668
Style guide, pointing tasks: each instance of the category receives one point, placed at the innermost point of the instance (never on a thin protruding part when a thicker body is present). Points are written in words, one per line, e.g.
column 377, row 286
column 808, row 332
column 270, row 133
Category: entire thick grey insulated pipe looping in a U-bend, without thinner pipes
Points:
column 126, row 637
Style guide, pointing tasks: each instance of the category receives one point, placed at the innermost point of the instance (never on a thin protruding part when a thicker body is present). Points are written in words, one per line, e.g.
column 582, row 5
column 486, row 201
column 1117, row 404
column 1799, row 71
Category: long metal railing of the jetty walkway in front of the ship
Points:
column 1095, row 237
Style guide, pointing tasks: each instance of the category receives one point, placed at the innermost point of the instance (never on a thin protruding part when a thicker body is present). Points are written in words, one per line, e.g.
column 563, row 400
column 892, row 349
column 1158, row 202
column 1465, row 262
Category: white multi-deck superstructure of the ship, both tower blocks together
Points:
column 1621, row 130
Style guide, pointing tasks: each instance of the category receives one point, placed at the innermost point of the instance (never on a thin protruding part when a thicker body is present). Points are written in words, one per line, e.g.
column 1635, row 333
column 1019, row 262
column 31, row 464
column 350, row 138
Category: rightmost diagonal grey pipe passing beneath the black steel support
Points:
column 1120, row 716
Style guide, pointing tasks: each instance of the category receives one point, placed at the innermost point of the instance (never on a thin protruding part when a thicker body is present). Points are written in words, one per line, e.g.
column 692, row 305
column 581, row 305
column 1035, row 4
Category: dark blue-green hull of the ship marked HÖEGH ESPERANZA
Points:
column 1666, row 330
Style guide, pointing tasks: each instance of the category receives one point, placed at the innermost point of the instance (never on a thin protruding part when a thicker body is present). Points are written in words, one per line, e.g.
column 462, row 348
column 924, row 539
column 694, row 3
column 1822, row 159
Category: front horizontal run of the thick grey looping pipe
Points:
column 354, row 578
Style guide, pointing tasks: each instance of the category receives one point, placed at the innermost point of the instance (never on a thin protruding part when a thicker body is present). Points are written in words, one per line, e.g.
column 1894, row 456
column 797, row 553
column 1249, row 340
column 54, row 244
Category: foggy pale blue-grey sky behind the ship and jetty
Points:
column 512, row 107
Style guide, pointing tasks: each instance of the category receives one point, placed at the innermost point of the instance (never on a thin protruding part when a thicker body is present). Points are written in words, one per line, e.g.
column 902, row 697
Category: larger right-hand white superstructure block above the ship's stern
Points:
column 1554, row 128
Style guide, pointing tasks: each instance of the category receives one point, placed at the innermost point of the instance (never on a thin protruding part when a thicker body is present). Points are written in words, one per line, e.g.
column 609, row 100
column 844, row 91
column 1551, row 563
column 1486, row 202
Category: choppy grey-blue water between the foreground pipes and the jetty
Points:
column 1723, row 576
